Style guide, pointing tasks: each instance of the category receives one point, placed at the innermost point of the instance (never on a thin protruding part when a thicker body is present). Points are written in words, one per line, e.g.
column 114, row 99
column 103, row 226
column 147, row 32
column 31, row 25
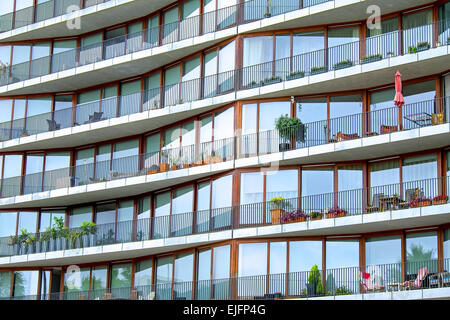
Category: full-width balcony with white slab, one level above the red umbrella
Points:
column 257, row 79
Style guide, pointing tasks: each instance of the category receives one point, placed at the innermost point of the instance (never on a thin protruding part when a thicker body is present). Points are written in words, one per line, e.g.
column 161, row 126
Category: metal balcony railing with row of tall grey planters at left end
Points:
column 392, row 197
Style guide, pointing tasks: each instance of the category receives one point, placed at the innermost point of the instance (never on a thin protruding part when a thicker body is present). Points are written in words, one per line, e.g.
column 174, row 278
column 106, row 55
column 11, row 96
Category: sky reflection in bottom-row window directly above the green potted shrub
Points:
column 303, row 255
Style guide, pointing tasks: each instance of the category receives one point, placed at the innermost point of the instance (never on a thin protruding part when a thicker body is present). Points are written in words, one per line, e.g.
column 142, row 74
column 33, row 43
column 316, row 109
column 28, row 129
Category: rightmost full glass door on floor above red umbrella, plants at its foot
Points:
column 417, row 31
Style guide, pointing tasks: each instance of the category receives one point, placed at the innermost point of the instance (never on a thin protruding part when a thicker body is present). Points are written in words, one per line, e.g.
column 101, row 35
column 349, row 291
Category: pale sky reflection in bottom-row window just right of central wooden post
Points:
column 252, row 259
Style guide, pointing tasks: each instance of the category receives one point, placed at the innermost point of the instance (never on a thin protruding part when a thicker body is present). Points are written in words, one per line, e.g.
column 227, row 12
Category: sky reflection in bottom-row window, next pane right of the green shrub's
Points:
column 342, row 254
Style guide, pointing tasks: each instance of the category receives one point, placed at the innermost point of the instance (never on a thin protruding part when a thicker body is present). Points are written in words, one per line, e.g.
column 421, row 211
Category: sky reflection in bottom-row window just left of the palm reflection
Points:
column 383, row 250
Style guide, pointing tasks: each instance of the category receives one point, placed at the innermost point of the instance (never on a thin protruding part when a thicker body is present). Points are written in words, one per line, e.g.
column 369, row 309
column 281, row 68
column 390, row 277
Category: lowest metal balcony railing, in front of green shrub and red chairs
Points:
column 416, row 274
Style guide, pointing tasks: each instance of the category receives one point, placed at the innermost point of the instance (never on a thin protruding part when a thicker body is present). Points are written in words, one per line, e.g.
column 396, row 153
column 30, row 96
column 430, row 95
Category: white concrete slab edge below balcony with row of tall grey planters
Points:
column 426, row 216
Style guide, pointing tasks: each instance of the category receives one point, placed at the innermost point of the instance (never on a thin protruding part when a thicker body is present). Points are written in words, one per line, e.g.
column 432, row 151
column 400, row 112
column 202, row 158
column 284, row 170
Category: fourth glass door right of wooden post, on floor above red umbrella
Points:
column 343, row 47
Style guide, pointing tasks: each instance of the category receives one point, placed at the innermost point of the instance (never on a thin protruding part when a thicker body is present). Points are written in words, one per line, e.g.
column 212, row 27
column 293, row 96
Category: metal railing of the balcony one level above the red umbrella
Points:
column 214, row 85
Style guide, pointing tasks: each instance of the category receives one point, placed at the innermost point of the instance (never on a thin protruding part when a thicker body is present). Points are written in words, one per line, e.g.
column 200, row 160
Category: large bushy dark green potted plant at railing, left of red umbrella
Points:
column 291, row 130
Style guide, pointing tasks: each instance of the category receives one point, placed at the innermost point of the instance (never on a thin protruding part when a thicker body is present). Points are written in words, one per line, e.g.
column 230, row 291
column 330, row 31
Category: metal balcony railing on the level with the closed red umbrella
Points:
column 383, row 121
